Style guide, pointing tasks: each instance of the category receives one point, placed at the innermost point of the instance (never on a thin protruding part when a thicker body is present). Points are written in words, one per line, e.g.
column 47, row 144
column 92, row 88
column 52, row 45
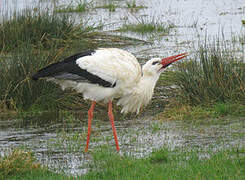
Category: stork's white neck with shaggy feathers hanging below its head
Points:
column 140, row 95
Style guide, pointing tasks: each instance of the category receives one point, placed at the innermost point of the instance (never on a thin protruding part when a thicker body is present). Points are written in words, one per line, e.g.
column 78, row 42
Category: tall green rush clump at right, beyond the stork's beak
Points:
column 214, row 75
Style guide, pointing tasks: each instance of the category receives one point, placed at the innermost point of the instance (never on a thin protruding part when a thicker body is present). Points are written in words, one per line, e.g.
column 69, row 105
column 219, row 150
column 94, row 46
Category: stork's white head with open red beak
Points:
column 155, row 66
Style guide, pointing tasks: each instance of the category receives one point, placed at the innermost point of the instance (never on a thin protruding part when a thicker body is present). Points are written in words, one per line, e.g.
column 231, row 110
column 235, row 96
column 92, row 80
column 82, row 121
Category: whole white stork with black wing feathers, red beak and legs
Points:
column 107, row 74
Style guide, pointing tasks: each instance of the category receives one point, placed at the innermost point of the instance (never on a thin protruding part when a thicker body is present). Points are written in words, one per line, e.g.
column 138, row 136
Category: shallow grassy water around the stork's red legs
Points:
column 58, row 140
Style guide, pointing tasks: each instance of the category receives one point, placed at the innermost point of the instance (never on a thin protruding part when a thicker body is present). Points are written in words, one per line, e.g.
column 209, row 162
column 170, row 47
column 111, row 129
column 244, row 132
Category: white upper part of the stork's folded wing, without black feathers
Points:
column 112, row 65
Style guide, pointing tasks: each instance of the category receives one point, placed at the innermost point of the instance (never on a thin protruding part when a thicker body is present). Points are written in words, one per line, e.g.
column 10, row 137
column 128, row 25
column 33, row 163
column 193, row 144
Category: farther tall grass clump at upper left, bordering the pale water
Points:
column 40, row 30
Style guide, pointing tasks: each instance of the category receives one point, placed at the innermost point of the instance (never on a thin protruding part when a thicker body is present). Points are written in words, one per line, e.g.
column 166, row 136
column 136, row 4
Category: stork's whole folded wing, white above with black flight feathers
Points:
column 104, row 67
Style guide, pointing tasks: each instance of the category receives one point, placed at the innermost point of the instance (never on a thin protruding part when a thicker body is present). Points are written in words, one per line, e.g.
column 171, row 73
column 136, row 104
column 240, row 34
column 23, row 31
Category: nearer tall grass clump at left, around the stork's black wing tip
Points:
column 18, row 92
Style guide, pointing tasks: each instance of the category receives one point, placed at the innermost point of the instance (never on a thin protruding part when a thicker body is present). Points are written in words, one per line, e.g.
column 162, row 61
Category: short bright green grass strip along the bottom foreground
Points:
column 161, row 164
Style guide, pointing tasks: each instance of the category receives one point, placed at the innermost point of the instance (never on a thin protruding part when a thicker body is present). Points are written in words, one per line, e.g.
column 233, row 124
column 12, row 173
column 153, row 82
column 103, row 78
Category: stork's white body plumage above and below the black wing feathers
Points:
column 113, row 65
